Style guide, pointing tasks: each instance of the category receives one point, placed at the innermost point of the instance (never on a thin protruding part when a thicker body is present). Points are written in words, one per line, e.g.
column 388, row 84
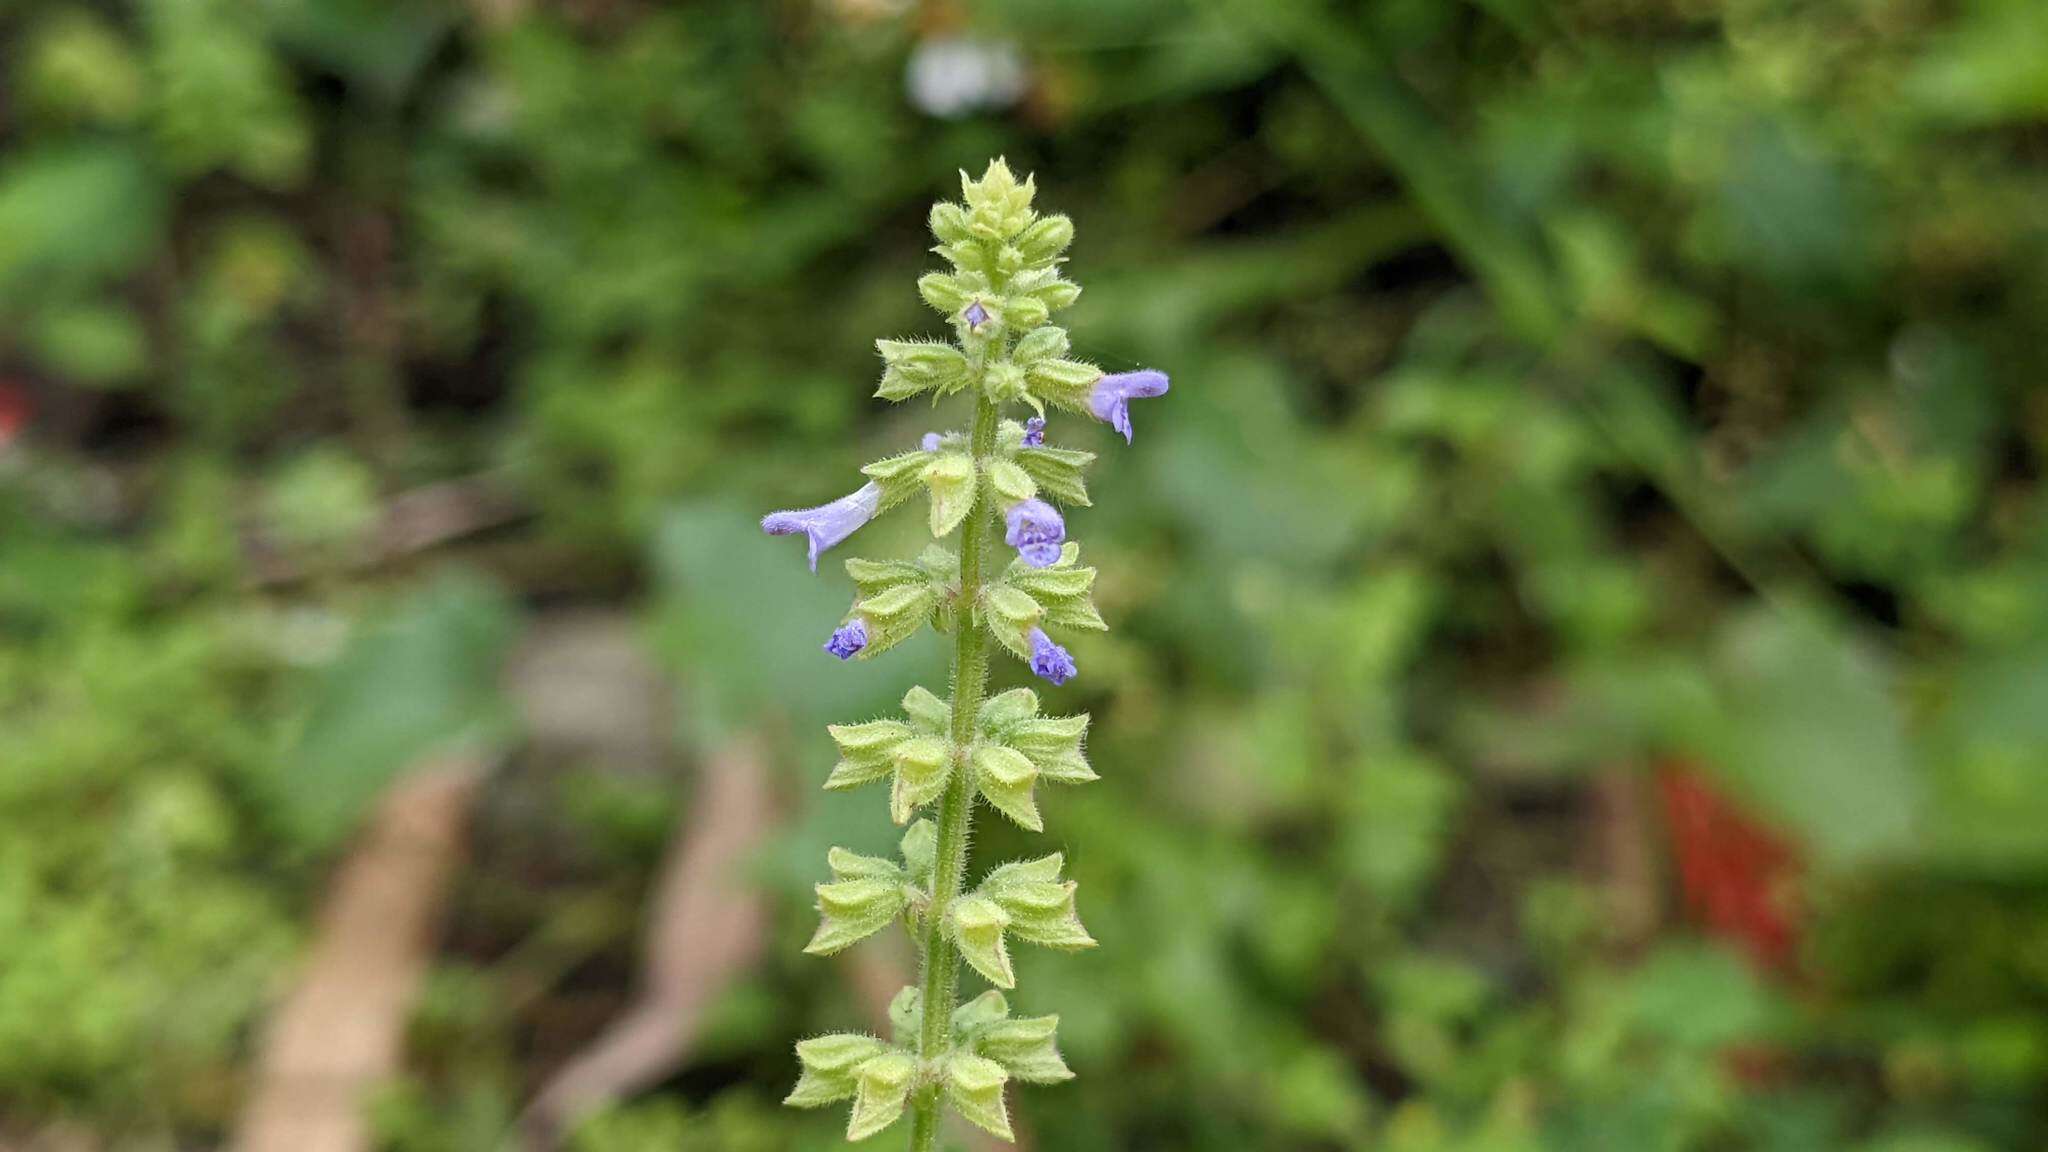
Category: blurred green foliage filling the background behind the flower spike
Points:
column 1562, row 393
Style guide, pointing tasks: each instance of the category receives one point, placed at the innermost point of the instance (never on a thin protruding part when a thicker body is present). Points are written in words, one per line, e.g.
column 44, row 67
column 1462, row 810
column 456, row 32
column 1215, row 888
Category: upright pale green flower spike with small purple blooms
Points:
column 945, row 755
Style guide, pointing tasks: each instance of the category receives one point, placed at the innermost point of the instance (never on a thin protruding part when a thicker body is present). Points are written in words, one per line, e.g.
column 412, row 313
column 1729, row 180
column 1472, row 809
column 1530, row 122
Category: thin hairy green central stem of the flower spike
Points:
column 957, row 807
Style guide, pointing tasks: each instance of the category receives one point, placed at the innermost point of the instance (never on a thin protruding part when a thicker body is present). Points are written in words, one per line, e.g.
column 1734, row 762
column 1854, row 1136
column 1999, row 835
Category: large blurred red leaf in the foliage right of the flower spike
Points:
column 1740, row 876
